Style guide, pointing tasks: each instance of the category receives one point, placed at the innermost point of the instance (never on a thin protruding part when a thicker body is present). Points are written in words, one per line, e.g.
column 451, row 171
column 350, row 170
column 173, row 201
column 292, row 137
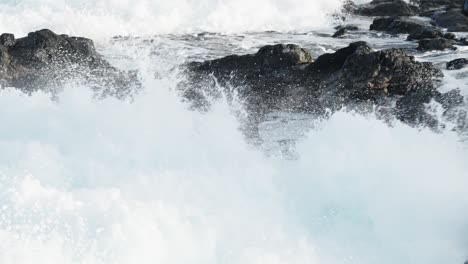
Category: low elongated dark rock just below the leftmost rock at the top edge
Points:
column 398, row 25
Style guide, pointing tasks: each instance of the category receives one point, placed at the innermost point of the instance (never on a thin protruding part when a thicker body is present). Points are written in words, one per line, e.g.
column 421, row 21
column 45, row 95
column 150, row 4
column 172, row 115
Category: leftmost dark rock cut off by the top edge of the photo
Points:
column 386, row 8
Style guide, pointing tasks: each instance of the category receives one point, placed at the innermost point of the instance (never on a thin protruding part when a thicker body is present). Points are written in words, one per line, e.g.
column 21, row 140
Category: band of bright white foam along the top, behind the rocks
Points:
column 105, row 18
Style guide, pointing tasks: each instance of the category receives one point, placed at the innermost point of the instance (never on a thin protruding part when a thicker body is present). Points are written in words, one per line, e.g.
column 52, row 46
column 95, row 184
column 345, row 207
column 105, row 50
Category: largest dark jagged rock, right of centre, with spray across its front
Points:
column 351, row 76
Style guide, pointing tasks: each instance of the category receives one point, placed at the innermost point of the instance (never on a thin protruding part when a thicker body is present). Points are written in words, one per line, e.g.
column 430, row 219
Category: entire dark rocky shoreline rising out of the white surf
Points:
column 282, row 77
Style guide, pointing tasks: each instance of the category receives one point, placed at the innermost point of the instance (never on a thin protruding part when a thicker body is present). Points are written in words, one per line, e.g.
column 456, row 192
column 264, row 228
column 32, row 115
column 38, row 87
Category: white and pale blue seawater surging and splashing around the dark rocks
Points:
column 148, row 181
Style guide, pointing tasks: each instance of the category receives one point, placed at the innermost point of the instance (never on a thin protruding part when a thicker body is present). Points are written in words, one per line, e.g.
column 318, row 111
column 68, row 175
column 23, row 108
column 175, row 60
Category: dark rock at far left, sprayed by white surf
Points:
column 44, row 59
